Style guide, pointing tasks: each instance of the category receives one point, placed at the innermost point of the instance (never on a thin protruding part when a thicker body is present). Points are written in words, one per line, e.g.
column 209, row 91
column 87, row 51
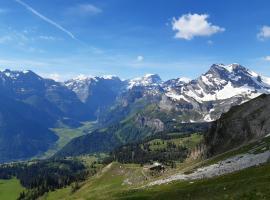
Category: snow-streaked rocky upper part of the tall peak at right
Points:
column 222, row 82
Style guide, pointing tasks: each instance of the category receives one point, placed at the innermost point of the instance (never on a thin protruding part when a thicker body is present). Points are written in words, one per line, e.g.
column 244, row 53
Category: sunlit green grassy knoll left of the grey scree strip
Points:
column 105, row 184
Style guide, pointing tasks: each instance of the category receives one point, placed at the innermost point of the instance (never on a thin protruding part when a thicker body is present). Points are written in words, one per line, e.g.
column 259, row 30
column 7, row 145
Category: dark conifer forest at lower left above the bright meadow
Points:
column 43, row 176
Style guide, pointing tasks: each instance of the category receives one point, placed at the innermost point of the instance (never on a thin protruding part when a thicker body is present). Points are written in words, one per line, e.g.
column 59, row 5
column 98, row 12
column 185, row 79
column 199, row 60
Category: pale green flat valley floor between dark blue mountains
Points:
column 65, row 135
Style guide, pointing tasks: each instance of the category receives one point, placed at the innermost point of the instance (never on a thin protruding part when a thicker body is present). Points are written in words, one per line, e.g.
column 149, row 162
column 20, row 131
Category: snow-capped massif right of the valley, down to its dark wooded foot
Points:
column 148, row 105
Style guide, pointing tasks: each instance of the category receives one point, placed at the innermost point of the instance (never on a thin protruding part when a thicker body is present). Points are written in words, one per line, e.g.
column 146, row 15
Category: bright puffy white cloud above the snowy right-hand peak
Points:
column 189, row 26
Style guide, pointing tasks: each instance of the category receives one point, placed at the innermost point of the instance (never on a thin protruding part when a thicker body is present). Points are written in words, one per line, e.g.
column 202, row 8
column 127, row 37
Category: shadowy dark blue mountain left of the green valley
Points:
column 29, row 106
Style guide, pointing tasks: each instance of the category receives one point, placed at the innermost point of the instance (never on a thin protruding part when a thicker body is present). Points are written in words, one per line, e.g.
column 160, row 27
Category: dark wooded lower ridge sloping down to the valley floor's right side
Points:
column 126, row 132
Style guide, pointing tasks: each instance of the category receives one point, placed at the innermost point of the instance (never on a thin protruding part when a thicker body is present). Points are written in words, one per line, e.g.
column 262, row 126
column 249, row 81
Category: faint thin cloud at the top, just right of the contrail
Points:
column 84, row 10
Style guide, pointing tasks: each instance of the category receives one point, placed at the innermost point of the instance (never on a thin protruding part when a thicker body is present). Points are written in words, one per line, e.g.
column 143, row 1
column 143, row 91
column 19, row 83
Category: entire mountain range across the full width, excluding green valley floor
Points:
column 127, row 109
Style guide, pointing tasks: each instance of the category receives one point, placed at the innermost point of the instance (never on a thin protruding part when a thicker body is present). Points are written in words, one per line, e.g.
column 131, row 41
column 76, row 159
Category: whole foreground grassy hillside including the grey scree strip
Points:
column 132, row 181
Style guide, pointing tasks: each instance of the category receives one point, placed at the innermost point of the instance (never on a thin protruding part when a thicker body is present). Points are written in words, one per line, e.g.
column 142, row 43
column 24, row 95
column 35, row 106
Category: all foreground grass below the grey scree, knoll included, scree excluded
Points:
column 252, row 183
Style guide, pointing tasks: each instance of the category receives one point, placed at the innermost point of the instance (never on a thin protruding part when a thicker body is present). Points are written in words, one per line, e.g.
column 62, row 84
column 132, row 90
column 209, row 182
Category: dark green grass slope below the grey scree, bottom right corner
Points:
column 252, row 183
